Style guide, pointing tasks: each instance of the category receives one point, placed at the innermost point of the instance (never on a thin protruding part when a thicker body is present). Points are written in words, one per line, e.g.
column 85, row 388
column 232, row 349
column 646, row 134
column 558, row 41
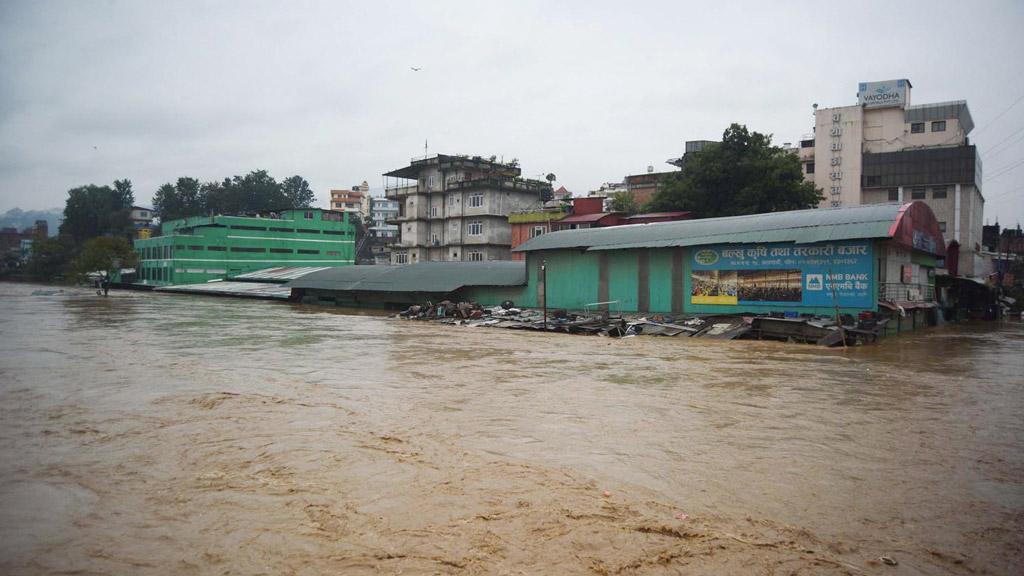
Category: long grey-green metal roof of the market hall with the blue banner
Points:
column 802, row 227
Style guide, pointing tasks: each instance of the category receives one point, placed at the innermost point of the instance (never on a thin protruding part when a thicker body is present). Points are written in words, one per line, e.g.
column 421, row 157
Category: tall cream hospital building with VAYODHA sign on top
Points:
column 885, row 150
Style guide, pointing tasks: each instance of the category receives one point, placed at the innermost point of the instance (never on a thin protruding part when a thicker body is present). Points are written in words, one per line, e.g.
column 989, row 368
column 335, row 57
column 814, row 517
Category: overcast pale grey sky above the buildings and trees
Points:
column 97, row 91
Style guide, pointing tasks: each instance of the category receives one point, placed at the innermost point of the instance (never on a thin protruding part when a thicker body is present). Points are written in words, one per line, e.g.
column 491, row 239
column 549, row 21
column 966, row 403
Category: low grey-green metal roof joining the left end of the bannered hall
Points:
column 423, row 277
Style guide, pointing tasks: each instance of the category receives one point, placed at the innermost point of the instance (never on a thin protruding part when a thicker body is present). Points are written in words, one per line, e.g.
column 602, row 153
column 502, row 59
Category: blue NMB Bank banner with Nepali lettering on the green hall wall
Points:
column 799, row 275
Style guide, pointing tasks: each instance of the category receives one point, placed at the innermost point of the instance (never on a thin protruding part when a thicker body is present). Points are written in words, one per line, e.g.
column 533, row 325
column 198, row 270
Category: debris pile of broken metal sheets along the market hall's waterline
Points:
column 806, row 330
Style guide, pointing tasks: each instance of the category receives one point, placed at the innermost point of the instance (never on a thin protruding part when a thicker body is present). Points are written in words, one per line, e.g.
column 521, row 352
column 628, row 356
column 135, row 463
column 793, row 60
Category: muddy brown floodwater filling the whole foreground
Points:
column 149, row 434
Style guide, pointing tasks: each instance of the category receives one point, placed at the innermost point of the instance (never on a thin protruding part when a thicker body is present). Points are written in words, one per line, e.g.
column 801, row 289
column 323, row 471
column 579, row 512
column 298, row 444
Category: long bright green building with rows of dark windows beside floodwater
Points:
column 204, row 249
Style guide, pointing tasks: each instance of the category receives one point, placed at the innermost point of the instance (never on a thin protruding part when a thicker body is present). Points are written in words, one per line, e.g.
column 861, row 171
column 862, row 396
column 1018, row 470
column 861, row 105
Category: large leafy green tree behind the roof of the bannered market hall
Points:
column 743, row 175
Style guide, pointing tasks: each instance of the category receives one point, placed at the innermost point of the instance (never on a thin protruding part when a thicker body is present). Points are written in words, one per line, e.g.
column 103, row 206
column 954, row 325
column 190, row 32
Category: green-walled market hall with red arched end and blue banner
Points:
column 808, row 262
